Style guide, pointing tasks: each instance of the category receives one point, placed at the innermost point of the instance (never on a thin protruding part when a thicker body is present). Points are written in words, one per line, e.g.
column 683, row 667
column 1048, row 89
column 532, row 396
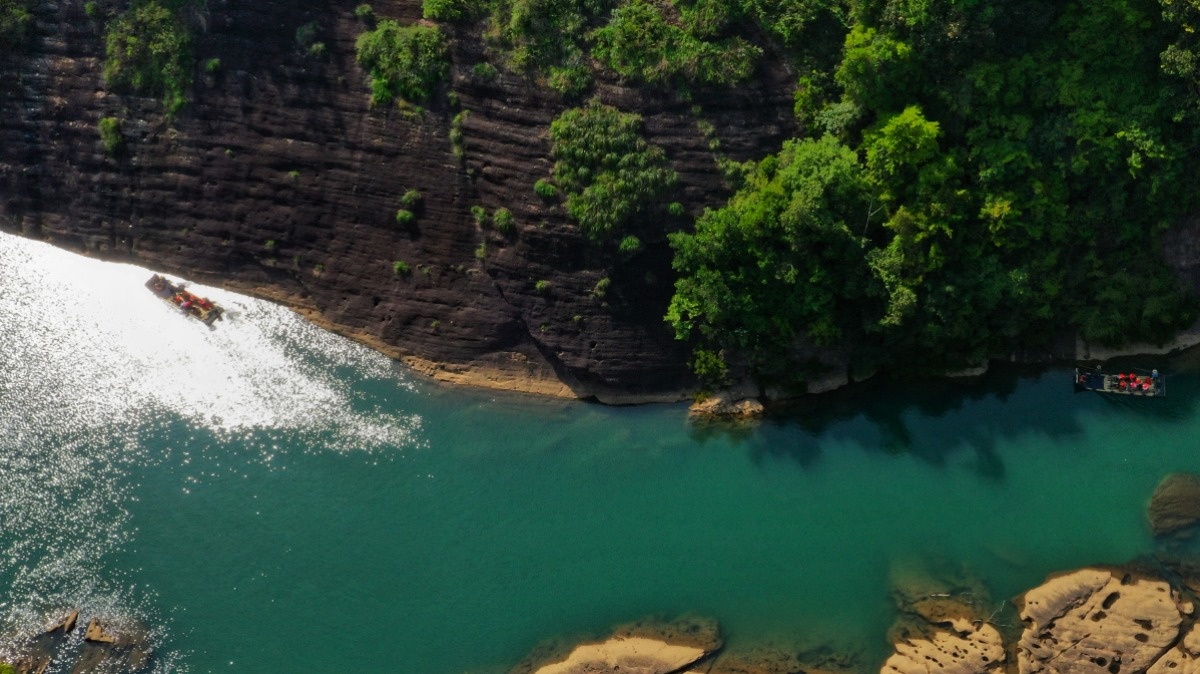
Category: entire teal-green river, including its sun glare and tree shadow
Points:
column 272, row 498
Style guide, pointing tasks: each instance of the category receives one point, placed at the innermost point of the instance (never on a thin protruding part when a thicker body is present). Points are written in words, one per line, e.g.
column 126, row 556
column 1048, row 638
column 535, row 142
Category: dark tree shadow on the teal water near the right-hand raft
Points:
column 937, row 419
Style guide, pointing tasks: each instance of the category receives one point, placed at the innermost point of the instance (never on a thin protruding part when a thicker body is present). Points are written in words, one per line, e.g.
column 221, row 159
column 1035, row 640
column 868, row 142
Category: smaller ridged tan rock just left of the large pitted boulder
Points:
column 967, row 648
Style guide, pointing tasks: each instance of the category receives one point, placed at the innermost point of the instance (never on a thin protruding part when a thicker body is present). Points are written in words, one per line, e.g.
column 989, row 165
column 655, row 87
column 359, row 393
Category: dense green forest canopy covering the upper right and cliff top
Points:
column 973, row 177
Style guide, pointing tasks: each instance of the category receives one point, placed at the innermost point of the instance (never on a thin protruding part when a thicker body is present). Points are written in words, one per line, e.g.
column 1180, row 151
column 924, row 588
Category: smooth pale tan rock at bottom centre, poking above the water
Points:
column 627, row 655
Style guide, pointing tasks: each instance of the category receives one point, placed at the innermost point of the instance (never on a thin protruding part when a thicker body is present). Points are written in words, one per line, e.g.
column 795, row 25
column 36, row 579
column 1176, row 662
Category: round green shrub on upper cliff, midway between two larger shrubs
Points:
column 405, row 63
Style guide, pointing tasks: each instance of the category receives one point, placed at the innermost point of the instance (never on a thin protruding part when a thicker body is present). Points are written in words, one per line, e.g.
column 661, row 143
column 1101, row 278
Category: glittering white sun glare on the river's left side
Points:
column 88, row 376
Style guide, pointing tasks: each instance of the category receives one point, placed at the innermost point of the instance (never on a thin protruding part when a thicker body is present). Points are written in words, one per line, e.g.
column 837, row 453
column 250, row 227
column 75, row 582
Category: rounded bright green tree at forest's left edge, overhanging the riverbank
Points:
column 782, row 261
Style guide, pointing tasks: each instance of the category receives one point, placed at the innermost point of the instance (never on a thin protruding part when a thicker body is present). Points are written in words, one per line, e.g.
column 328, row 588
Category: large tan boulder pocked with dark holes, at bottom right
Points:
column 1097, row 619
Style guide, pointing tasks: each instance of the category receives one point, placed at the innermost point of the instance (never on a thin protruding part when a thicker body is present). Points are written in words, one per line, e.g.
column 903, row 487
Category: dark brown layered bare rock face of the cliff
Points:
column 281, row 180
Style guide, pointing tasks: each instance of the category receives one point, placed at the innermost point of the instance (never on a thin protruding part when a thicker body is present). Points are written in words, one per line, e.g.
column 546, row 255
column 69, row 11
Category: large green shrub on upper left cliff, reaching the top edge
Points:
column 149, row 49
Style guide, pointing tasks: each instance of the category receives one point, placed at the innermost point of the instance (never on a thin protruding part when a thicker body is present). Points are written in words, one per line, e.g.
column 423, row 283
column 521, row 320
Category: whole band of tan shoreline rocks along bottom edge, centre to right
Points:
column 1095, row 621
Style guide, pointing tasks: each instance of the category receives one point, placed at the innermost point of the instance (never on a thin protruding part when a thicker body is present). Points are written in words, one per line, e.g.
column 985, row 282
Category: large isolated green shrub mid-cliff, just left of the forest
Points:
column 607, row 170
